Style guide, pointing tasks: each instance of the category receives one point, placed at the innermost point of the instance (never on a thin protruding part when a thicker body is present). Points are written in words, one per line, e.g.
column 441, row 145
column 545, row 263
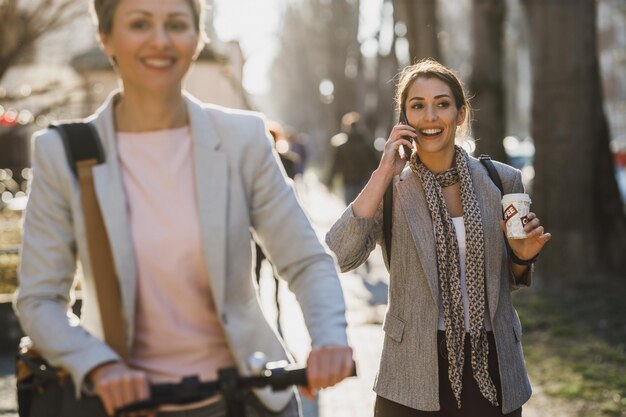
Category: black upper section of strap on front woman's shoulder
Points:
column 81, row 143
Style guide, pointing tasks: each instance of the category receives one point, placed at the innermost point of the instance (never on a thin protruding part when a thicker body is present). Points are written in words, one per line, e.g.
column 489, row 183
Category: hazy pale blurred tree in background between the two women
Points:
column 319, row 50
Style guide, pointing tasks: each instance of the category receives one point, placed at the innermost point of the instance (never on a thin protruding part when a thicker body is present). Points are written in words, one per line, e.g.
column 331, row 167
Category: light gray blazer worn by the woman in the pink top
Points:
column 241, row 192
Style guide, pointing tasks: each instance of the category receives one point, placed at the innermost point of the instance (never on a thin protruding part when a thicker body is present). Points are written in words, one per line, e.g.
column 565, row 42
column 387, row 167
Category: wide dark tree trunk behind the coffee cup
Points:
column 575, row 190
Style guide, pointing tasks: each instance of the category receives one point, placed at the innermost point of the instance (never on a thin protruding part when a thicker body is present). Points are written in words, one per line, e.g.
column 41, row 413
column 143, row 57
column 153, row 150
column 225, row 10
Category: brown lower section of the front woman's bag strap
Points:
column 107, row 285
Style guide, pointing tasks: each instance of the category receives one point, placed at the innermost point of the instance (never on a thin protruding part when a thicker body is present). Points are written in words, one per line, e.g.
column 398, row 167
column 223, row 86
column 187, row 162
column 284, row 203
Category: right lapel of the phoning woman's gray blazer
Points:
column 488, row 196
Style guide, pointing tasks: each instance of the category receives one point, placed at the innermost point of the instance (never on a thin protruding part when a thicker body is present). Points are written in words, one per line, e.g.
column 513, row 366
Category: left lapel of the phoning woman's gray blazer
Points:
column 415, row 207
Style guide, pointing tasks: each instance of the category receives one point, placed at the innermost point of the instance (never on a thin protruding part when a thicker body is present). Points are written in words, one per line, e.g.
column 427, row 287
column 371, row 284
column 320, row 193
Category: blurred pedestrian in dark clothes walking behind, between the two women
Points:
column 354, row 157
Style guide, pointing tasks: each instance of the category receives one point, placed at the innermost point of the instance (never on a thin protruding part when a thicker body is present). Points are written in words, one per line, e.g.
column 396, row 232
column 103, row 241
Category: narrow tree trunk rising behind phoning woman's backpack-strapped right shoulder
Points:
column 486, row 83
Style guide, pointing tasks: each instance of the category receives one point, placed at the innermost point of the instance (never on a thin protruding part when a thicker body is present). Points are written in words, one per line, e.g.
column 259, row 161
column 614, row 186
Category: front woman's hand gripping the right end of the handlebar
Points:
column 326, row 366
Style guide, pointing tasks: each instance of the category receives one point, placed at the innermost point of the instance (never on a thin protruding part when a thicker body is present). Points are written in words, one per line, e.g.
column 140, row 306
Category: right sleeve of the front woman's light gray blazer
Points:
column 286, row 235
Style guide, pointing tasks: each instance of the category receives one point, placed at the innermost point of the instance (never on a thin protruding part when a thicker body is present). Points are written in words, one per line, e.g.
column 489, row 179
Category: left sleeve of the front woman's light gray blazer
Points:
column 48, row 265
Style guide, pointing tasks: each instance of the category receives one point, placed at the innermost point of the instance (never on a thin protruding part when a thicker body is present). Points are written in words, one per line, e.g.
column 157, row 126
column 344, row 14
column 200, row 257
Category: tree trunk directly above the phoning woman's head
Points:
column 420, row 18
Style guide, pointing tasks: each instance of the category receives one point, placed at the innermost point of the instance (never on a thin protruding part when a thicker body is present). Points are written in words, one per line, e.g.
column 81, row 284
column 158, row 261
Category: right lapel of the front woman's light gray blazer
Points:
column 211, row 176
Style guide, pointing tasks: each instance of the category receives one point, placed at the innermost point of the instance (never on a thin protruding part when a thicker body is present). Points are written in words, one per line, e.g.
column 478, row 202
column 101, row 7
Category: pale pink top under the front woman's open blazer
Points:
column 177, row 331
